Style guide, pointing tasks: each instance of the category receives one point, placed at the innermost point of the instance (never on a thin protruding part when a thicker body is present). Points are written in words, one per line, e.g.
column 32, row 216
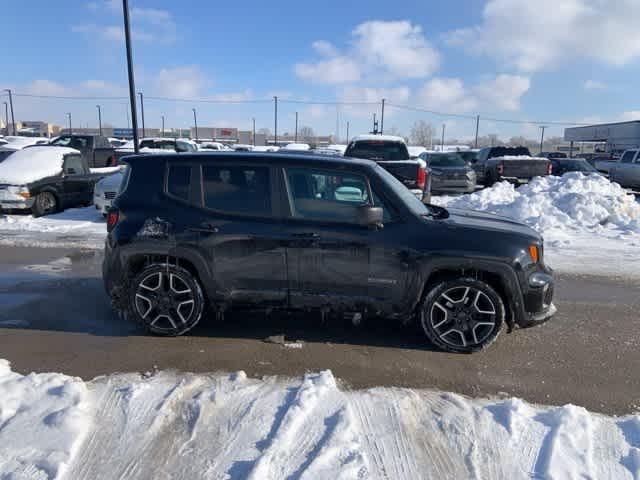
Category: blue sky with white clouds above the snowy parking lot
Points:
column 549, row 60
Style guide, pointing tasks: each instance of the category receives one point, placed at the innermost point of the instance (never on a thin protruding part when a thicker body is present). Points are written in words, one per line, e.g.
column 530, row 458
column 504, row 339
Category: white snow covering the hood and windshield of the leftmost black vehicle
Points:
column 33, row 163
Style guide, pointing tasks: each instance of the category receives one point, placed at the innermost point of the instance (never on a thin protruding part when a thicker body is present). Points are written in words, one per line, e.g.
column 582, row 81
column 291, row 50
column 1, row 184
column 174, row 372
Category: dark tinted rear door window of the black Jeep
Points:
column 239, row 189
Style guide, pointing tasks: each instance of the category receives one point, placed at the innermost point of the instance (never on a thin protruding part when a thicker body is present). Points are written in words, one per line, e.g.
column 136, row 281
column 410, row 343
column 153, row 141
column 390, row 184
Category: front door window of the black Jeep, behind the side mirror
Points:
column 327, row 196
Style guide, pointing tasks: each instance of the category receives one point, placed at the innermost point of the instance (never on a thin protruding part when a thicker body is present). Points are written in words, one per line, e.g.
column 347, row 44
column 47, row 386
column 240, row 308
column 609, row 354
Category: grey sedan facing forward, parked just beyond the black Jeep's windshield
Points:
column 450, row 173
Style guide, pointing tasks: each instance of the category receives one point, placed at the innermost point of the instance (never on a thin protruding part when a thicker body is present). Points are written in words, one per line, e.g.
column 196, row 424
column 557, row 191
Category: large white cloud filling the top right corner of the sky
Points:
column 544, row 34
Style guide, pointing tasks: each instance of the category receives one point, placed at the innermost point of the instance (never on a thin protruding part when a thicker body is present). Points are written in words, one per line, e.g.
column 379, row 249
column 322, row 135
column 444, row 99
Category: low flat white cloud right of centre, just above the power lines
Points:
column 450, row 95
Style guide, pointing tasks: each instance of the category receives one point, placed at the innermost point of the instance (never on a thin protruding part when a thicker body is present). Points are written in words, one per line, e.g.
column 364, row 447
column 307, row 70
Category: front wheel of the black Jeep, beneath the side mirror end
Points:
column 462, row 315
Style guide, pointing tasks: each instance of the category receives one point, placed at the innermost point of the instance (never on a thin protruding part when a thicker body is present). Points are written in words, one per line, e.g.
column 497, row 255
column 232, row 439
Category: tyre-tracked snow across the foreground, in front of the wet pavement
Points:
column 169, row 425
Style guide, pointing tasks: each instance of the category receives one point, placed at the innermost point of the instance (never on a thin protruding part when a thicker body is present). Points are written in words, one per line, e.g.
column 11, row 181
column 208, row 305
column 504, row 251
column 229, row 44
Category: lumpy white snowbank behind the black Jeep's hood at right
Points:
column 590, row 225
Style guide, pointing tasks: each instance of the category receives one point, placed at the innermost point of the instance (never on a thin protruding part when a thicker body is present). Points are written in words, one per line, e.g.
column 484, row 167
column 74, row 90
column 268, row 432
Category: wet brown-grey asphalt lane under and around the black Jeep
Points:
column 55, row 316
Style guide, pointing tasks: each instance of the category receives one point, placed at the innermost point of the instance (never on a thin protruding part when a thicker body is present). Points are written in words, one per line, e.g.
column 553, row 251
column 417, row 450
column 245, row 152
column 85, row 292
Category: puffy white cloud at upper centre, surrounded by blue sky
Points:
column 384, row 50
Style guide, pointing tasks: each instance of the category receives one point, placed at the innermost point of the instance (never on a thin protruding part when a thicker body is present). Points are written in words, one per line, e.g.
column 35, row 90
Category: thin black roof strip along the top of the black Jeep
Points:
column 268, row 158
